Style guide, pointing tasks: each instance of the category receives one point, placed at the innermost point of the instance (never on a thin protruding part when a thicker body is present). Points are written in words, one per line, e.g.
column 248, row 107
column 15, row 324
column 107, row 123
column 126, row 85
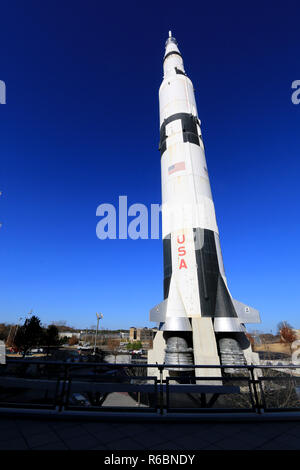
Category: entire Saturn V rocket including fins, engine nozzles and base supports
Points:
column 199, row 322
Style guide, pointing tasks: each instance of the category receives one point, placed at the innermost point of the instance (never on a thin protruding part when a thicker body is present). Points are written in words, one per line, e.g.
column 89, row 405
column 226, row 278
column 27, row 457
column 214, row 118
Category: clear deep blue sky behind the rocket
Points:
column 81, row 127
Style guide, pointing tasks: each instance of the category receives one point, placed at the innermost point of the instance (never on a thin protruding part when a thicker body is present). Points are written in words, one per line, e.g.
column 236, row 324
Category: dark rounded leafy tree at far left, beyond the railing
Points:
column 29, row 335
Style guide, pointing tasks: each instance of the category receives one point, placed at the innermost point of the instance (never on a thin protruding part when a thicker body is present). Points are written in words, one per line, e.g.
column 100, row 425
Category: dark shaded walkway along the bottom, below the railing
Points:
column 49, row 434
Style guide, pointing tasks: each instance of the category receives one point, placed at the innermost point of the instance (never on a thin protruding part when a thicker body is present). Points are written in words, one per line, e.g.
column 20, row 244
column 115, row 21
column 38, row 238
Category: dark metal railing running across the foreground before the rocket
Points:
column 90, row 386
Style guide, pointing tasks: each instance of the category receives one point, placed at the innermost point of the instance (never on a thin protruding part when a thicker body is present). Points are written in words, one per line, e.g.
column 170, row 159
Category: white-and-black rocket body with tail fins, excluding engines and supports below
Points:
column 194, row 278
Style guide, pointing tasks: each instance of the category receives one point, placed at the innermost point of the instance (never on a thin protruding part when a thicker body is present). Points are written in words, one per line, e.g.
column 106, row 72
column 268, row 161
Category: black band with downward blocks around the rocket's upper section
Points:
column 189, row 130
